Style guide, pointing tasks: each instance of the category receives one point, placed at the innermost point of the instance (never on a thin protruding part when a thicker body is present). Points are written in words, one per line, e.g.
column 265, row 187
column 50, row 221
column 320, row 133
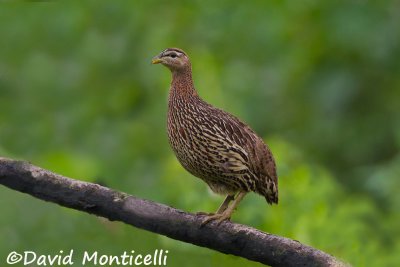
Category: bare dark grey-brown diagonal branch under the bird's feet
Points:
column 229, row 238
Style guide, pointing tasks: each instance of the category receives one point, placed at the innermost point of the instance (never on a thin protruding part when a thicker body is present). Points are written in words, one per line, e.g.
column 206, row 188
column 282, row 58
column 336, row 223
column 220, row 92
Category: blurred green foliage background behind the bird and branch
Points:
column 319, row 80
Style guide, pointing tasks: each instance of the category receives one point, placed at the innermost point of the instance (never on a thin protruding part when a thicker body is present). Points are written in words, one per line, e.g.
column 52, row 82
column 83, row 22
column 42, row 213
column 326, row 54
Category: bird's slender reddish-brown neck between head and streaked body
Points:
column 182, row 84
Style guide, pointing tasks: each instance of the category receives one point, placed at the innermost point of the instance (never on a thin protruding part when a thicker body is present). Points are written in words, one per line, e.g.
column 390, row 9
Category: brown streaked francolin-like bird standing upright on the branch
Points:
column 215, row 145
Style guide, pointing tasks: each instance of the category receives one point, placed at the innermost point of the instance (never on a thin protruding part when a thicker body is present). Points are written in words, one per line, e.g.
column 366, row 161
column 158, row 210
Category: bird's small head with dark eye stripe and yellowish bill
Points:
column 173, row 58
